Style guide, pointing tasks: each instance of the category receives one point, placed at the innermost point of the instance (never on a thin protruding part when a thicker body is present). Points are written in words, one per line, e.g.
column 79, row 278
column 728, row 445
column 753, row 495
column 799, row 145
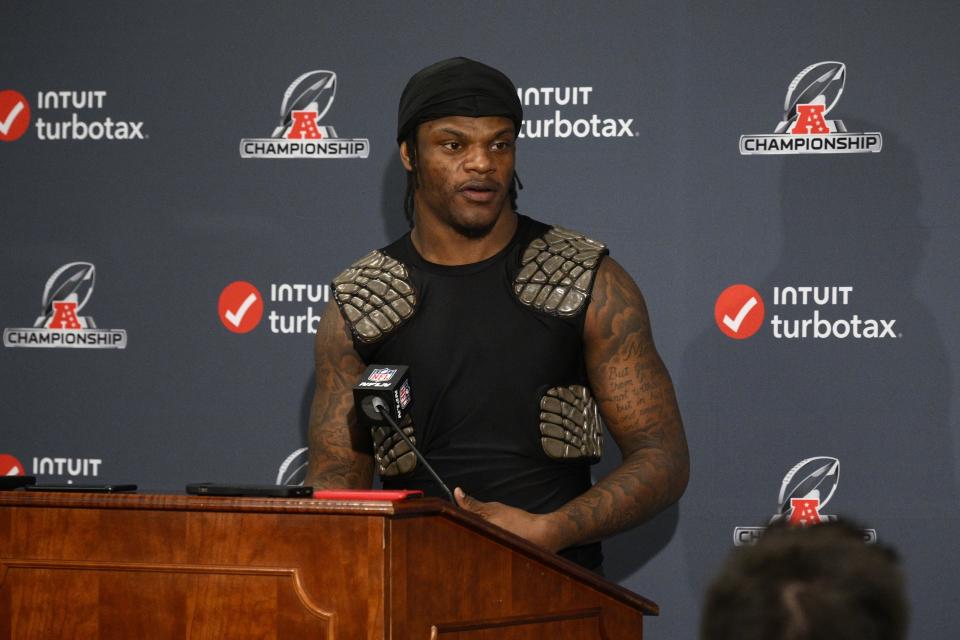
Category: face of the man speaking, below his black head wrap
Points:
column 465, row 168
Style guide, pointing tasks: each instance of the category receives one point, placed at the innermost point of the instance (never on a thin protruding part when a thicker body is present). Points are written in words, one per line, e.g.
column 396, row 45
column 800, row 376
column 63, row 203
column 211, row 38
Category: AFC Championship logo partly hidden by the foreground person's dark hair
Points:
column 805, row 490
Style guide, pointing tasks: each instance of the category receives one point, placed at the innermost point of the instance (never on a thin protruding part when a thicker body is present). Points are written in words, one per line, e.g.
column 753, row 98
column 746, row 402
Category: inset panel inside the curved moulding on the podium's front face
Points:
column 109, row 600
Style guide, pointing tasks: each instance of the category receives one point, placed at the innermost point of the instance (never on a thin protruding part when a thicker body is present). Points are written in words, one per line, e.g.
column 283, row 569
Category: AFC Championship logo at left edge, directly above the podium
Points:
column 60, row 324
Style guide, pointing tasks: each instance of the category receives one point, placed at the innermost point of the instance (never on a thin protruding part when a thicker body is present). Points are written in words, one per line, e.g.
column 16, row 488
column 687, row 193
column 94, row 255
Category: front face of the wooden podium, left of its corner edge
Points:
column 207, row 572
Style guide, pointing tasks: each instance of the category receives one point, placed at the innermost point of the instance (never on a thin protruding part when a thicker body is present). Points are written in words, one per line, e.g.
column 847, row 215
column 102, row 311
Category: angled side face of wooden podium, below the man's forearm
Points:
column 445, row 576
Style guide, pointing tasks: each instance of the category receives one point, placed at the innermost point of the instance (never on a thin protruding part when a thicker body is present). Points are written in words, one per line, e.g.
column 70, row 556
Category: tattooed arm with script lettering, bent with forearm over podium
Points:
column 639, row 408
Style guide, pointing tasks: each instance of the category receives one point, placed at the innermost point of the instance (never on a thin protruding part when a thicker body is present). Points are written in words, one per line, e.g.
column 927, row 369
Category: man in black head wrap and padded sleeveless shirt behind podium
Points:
column 519, row 337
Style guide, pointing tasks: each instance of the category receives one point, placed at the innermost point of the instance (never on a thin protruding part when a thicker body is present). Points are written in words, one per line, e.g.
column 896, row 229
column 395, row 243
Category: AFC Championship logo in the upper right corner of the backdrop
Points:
column 804, row 128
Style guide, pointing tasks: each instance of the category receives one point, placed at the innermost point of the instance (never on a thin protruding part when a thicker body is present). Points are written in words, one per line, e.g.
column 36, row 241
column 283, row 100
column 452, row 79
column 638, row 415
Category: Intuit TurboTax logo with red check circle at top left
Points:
column 61, row 115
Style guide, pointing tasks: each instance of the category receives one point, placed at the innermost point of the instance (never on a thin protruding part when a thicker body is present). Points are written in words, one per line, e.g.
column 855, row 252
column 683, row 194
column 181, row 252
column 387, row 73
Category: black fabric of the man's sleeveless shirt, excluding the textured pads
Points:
column 480, row 363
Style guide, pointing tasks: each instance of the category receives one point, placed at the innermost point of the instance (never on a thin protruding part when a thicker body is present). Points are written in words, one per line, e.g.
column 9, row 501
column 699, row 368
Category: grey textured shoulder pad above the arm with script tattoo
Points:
column 557, row 271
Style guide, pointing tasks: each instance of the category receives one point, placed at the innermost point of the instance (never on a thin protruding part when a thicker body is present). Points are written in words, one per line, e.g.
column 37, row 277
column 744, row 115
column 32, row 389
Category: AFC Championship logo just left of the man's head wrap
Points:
column 299, row 133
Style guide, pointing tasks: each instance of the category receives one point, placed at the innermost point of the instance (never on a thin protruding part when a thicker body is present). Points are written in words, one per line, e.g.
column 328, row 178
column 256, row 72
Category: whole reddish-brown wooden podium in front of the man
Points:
column 177, row 566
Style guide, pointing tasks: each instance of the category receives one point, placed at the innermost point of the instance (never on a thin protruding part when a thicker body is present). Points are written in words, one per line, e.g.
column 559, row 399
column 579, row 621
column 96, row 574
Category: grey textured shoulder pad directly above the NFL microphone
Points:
column 375, row 295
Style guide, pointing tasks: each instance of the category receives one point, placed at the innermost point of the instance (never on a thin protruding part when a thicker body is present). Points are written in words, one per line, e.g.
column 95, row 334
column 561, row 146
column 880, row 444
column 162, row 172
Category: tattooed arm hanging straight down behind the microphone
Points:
column 340, row 452
